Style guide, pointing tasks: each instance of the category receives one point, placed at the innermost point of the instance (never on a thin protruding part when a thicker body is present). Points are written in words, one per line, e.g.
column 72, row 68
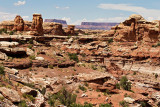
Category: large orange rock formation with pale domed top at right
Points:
column 136, row 28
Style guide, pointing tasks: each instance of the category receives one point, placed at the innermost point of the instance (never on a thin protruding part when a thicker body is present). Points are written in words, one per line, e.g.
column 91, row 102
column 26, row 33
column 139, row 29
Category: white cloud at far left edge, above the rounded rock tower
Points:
column 7, row 16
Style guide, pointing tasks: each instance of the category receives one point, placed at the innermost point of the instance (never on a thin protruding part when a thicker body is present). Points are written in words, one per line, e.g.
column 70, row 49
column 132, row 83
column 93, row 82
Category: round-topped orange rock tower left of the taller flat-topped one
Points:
column 18, row 23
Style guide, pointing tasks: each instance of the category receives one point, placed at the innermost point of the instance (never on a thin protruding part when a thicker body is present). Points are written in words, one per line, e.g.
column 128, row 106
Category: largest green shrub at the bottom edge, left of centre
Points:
column 64, row 97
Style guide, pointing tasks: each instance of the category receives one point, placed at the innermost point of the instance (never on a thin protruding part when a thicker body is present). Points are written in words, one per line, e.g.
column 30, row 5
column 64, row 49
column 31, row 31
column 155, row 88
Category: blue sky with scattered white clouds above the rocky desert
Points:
column 76, row 11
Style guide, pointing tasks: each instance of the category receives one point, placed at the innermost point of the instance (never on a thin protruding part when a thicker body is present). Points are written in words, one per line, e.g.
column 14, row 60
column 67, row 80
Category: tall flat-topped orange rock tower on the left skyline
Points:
column 37, row 25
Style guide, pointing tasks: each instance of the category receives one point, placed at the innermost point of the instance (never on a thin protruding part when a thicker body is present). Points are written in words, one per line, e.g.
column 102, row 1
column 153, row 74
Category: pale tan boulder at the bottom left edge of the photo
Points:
column 10, row 94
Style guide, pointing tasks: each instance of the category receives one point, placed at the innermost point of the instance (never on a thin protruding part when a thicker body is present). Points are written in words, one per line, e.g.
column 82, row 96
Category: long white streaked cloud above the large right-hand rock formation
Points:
column 147, row 13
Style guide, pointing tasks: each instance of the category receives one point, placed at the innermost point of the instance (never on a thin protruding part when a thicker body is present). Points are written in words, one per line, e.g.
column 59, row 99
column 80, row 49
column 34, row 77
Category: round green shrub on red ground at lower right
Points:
column 125, row 84
